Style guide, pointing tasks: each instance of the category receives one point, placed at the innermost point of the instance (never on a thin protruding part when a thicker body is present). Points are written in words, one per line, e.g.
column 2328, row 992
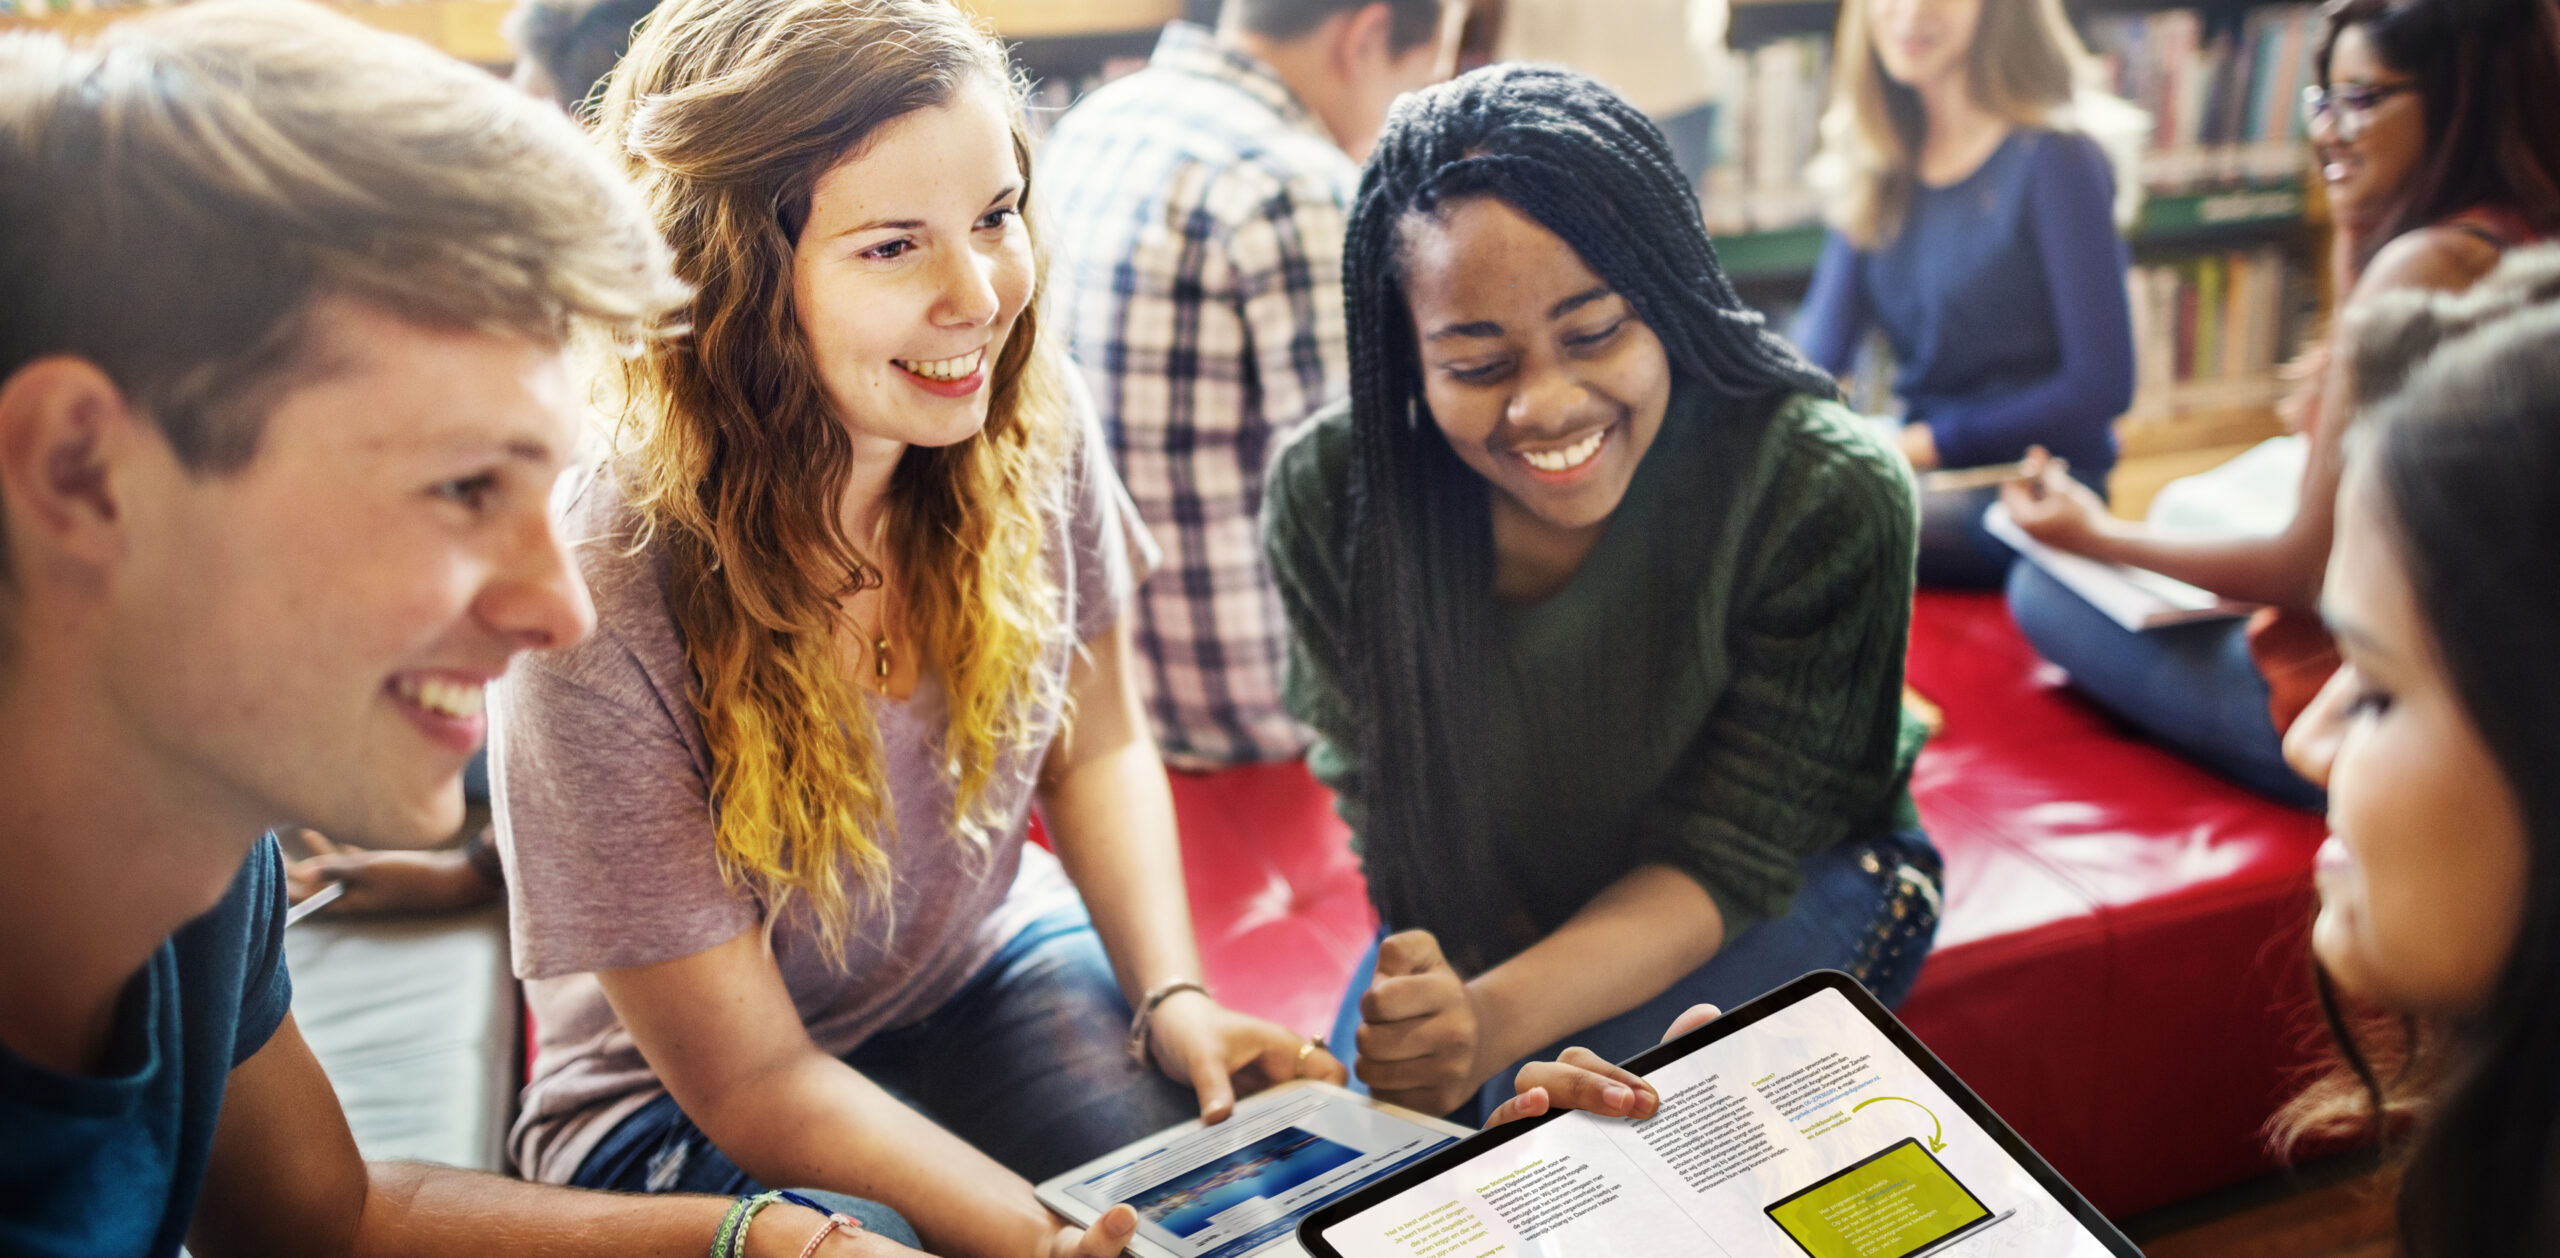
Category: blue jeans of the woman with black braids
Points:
column 1868, row 908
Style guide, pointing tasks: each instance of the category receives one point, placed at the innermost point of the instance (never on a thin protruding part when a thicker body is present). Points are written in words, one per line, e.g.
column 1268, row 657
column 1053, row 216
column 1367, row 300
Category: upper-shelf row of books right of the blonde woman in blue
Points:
column 2223, row 91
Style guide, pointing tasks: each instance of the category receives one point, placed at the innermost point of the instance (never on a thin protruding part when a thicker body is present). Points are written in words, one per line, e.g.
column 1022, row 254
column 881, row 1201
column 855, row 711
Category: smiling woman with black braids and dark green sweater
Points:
column 1599, row 606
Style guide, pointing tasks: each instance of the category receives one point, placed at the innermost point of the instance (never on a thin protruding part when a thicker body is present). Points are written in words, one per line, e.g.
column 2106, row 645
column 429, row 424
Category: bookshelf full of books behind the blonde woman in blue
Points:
column 2228, row 247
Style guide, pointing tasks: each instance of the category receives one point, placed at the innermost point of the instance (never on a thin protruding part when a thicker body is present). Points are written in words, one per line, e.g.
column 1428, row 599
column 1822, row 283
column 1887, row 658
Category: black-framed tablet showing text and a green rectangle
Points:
column 1801, row 1126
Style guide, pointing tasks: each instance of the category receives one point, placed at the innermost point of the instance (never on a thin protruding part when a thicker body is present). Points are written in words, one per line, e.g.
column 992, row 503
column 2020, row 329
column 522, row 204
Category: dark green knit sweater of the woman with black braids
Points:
column 1765, row 729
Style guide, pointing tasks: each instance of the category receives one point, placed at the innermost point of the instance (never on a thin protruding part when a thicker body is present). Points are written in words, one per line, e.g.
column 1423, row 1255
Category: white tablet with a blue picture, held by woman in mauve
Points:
column 1240, row 1188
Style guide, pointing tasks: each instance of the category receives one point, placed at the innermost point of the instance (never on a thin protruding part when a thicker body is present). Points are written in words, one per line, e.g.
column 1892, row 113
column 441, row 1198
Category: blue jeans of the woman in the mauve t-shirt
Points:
column 1025, row 1062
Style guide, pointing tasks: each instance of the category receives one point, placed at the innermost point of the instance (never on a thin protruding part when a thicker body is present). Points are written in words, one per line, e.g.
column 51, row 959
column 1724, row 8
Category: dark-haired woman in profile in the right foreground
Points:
column 2436, row 744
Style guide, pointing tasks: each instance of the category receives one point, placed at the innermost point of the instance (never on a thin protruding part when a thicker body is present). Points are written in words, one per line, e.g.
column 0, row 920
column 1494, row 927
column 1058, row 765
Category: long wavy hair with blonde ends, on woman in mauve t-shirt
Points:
column 728, row 114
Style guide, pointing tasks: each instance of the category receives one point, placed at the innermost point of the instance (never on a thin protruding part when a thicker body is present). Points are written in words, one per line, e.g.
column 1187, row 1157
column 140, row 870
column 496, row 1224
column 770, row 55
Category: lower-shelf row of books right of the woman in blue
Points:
column 2216, row 319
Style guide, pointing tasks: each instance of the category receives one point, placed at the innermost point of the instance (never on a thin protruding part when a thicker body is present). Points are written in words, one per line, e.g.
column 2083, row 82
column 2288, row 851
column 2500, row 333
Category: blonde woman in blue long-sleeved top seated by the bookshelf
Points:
column 1975, row 224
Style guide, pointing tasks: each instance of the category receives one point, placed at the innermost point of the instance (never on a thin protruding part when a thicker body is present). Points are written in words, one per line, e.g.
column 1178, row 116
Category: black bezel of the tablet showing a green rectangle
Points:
column 1652, row 1059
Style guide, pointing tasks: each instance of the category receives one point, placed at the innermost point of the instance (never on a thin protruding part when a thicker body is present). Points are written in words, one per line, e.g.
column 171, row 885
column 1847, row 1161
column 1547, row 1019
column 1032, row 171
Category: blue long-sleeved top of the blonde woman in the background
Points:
column 2003, row 298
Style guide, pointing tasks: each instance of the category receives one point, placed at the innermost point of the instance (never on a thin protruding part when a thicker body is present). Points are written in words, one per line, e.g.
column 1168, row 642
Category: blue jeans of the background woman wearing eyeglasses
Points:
column 2193, row 688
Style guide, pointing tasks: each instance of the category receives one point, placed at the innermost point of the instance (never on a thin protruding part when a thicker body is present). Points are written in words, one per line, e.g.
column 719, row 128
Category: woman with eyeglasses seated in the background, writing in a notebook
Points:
column 2438, row 137
